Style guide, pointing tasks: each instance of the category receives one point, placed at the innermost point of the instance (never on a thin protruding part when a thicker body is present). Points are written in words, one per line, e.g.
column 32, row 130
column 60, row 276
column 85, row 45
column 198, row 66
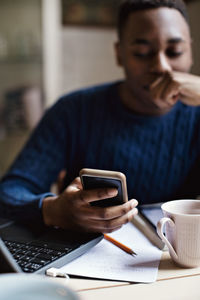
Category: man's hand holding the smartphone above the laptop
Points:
column 72, row 210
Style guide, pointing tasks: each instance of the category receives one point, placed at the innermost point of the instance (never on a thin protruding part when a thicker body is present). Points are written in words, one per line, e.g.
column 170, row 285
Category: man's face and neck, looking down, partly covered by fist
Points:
column 154, row 41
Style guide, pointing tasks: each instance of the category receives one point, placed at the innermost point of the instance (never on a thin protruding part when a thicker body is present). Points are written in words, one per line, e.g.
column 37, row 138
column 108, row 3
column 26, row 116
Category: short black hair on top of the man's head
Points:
column 127, row 7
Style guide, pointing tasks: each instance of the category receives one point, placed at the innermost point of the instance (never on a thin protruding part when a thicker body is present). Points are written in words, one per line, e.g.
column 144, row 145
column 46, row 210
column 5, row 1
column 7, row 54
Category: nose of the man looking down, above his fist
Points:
column 160, row 64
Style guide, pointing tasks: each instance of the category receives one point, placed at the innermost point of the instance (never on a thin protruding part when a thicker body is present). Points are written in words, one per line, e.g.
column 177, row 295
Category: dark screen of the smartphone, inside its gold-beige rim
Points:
column 92, row 182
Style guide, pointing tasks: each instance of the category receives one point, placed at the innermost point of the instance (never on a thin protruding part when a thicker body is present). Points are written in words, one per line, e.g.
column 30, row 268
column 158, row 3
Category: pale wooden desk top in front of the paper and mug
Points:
column 173, row 283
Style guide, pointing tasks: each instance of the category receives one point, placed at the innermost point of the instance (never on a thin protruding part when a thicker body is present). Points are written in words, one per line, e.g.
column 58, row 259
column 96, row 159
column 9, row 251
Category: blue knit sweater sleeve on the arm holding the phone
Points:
column 29, row 179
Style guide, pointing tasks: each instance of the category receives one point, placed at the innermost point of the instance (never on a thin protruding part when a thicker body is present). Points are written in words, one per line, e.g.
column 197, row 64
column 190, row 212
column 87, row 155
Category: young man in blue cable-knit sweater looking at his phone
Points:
column 146, row 126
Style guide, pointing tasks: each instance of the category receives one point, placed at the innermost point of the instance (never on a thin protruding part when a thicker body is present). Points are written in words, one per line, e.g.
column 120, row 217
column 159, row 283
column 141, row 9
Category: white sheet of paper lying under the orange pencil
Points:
column 106, row 261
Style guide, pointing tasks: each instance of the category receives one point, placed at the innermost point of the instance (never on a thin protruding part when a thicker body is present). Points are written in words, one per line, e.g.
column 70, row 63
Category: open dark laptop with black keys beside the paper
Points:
column 35, row 249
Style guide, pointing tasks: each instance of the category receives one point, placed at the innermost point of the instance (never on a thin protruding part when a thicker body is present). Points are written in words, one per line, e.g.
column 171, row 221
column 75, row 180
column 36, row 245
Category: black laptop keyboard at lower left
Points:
column 34, row 255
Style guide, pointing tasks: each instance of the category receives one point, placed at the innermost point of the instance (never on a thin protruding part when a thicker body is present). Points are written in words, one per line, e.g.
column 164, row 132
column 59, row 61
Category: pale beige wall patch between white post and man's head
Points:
column 88, row 57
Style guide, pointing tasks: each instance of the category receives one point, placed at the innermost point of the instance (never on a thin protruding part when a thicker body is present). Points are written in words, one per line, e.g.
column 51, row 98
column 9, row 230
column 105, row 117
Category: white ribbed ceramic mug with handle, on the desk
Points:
column 182, row 231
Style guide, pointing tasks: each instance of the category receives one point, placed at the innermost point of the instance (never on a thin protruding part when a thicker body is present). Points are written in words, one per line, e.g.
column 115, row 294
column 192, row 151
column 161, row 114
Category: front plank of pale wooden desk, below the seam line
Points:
column 186, row 288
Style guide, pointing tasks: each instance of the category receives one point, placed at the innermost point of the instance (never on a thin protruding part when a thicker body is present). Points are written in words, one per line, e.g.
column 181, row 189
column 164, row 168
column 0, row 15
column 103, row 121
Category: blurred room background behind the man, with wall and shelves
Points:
column 50, row 47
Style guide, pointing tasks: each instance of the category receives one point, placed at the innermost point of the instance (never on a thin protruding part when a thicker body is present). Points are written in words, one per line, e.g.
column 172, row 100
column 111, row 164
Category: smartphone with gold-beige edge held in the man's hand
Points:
column 93, row 179
